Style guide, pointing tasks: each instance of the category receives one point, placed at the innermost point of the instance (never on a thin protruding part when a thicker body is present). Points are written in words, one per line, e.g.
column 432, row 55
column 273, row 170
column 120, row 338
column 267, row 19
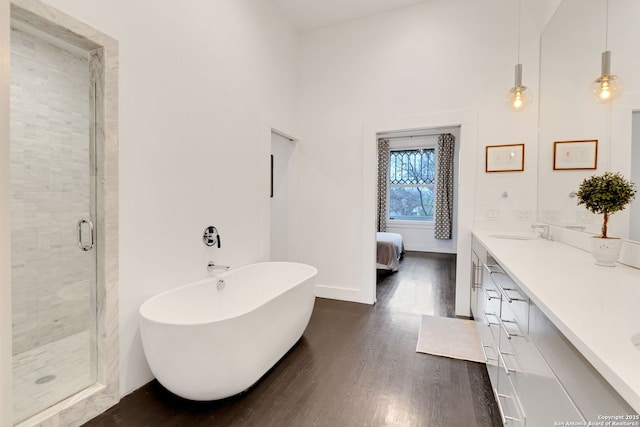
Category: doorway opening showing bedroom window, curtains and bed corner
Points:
column 413, row 166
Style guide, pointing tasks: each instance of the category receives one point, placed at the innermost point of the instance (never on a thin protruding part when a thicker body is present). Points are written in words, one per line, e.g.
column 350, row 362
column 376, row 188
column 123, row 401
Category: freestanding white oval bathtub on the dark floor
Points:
column 205, row 343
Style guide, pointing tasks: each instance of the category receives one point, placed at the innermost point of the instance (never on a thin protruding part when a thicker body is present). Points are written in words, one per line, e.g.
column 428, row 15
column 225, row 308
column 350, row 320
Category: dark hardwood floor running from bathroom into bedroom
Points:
column 356, row 365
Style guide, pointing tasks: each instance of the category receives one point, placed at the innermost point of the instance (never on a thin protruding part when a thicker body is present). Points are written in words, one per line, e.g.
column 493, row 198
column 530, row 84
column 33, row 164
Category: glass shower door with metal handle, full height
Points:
column 53, row 216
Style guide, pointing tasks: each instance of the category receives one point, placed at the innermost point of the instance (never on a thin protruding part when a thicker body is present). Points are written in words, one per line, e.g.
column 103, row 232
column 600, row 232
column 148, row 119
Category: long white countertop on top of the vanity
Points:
column 596, row 308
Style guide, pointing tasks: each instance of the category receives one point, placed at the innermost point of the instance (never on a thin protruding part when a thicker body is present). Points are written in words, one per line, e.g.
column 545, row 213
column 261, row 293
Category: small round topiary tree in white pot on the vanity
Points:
column 606, row 194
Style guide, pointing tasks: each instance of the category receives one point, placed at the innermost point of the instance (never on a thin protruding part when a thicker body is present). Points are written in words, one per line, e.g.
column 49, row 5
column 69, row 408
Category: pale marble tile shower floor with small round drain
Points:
column 49, row 374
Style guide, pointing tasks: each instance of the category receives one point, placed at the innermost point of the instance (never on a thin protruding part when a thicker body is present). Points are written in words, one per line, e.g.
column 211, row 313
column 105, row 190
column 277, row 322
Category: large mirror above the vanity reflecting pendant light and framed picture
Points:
column 571, row 49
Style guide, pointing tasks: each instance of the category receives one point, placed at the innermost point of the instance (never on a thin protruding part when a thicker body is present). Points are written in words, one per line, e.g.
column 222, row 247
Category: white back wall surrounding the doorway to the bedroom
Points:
column 424, row 60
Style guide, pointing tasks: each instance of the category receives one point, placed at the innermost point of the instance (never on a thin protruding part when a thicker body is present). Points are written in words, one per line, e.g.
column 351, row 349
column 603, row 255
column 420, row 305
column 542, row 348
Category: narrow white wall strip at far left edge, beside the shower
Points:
column 5, row 225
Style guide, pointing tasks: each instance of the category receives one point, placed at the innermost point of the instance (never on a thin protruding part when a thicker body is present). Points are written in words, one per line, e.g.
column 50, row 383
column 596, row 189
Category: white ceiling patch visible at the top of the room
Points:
column 311, row 14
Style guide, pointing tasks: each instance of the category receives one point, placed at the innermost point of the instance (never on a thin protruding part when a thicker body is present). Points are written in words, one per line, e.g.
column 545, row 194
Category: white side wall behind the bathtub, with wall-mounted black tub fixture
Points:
column 201, row 85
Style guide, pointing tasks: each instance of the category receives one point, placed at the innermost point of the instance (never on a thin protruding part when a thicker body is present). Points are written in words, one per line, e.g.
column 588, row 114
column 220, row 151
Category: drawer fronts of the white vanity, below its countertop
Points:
column 525, row 385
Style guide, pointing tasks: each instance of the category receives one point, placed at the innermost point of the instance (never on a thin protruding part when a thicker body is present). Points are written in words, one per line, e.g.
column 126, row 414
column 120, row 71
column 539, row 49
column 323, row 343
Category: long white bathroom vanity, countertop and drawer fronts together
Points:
column 565, row 329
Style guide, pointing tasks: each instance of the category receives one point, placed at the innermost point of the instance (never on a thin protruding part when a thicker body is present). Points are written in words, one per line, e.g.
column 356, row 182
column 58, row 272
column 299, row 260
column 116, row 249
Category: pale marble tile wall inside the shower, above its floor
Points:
column 50, row 167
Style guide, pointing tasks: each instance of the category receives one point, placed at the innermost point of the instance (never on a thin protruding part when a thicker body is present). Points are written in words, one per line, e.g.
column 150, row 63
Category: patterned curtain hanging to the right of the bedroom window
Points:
column 444, row 187
